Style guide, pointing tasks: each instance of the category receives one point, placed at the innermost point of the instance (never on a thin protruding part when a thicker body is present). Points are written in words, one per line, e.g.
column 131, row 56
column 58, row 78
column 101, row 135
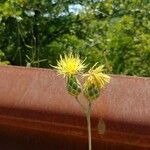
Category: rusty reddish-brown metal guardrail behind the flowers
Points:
column 34, row 104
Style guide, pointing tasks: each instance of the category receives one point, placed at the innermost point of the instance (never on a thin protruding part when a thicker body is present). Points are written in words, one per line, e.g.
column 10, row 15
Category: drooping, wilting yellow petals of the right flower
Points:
column 96, row 77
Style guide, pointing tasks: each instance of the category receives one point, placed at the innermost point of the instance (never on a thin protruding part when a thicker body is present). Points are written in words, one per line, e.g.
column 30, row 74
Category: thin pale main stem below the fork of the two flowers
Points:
column 88, row 116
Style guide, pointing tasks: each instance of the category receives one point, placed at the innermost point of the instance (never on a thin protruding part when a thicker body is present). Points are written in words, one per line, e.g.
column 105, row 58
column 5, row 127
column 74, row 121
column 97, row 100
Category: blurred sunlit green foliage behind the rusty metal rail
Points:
column 114, row 33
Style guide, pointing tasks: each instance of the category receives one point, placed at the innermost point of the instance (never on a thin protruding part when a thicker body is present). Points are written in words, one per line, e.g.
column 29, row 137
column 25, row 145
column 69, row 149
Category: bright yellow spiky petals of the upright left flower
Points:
column 69, row 65
